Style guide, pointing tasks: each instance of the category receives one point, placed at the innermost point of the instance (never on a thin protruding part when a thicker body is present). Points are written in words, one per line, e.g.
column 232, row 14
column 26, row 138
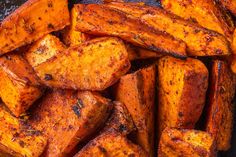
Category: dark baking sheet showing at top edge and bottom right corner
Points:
column 7, row 6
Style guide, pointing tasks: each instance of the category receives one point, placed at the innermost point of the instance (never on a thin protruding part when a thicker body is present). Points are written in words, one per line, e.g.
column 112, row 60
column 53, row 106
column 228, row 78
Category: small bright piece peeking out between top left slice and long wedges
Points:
column 72, row 37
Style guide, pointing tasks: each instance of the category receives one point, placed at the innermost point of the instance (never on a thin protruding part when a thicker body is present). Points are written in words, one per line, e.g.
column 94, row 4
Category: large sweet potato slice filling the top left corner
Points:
column 31, row 21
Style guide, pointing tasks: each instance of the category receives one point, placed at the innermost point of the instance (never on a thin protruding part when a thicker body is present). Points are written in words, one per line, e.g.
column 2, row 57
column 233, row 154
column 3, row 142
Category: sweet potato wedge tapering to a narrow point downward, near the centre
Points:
column 137, row 92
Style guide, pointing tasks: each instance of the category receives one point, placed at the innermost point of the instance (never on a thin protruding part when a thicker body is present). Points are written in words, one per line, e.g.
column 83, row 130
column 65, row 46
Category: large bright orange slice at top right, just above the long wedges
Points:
column 208, row 13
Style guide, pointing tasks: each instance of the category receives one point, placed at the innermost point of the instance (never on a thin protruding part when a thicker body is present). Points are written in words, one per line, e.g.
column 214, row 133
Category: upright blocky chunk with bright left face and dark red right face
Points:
column 182, row 90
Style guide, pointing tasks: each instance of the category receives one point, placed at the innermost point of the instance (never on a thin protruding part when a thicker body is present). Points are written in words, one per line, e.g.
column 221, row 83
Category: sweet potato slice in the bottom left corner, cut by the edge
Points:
column 17, row 138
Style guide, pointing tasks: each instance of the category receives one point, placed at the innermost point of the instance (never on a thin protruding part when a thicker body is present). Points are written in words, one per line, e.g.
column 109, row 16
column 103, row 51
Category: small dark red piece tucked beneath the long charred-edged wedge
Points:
column 136, row 53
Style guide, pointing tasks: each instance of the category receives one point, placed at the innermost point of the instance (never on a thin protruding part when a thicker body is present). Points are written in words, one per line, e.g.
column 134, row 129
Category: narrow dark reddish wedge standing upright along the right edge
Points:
column 220, row 116
